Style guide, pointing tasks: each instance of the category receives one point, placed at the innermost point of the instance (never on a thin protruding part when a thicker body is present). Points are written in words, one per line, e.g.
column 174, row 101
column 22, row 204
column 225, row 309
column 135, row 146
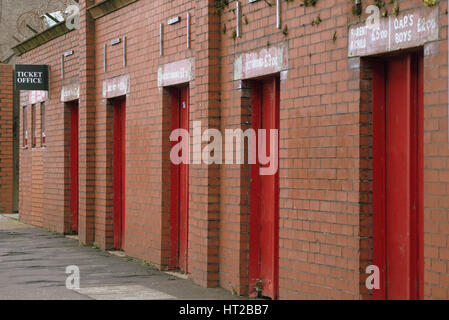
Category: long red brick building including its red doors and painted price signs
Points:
column 363, row 142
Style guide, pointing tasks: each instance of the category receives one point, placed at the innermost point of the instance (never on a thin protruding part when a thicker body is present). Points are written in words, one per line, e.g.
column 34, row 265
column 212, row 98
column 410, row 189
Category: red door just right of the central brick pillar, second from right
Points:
column 264, row 227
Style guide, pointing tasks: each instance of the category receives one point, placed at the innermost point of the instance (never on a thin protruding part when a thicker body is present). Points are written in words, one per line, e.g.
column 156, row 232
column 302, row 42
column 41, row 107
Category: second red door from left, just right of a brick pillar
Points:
column 119, row 108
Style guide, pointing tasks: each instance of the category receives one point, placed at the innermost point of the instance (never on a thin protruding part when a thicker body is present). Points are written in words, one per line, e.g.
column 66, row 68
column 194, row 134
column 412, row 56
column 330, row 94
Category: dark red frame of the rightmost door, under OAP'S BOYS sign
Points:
column 380, row 175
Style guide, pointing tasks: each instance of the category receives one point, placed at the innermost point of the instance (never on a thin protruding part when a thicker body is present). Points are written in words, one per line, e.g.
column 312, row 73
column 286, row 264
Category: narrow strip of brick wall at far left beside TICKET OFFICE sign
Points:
column 6, row 141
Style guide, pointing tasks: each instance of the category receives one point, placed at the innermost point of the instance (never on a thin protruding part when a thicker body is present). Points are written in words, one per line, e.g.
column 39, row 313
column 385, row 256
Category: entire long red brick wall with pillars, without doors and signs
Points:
column 325, row 158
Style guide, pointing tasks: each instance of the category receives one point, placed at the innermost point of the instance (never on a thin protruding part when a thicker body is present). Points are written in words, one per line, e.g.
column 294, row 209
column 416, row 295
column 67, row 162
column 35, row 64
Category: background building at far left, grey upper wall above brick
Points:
column 19, row 21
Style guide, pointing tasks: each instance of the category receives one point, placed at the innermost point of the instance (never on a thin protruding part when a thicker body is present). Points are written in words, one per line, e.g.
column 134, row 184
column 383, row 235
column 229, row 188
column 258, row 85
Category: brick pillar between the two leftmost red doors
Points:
column 87, row 125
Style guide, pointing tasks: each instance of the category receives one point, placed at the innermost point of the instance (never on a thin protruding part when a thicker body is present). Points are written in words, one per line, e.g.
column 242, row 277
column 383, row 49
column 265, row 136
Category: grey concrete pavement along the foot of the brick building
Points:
column 33, row 263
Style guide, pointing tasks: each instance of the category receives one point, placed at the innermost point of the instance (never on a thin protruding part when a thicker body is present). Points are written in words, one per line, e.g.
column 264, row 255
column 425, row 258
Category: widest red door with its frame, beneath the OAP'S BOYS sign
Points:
column 398, row 176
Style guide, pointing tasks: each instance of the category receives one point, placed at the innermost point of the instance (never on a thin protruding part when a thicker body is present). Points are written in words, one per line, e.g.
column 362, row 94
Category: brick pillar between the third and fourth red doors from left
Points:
column 204, row 179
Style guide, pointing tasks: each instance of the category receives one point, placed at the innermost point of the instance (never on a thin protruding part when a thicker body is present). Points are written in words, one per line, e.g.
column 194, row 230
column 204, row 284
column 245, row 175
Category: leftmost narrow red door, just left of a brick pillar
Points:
column 74, row 203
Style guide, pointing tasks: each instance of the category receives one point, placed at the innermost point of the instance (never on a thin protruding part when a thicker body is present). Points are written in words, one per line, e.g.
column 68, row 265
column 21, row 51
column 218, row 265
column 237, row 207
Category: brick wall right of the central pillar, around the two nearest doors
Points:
column 325, row 167
